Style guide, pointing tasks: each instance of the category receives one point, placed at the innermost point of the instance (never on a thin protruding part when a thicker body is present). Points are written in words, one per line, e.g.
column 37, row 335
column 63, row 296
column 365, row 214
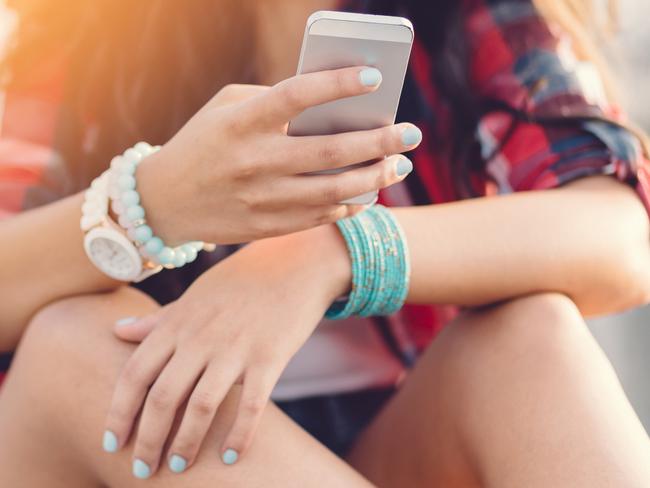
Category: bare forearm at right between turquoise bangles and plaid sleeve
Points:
column 588, row 240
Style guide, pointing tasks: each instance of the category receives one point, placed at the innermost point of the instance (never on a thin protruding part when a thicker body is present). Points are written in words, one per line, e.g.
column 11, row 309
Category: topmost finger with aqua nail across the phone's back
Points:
column 292, row 96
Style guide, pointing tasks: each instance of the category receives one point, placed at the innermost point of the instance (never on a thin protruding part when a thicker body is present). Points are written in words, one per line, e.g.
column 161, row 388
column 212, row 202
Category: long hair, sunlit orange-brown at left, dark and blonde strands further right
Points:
column 139, row 70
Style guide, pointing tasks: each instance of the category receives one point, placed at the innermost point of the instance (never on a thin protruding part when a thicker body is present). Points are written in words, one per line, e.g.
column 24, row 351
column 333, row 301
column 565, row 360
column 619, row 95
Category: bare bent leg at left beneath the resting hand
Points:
column 54, row 402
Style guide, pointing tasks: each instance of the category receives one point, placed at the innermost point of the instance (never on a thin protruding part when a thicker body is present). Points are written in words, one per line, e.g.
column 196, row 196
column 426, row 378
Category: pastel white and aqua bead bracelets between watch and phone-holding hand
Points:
column 125, row 203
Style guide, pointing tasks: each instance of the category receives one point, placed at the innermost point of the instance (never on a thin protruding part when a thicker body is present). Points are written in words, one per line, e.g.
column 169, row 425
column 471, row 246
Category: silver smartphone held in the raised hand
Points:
column 336, row 40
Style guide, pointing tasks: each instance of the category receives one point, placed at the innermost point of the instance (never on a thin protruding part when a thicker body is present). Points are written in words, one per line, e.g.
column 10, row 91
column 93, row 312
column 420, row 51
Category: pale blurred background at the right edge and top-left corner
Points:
column 626, row 337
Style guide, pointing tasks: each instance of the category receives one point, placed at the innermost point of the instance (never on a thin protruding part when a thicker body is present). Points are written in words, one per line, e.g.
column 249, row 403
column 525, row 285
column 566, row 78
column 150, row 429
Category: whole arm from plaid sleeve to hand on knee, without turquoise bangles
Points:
column 588, row 239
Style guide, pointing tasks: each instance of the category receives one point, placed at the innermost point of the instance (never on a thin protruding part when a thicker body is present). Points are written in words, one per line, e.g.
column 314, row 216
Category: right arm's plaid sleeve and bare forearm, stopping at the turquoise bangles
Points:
column 587, row 239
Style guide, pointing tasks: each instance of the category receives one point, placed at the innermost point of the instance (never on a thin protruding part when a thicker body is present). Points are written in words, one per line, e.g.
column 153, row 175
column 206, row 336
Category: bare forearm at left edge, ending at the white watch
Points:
column 42, row 259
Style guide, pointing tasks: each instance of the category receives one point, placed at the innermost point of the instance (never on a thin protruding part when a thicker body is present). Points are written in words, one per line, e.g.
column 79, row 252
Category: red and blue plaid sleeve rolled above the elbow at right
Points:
column 517, row 61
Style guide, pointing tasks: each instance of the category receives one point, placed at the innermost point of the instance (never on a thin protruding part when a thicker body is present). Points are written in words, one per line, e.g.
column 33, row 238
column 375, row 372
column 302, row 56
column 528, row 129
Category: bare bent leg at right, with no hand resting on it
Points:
column 517, row 395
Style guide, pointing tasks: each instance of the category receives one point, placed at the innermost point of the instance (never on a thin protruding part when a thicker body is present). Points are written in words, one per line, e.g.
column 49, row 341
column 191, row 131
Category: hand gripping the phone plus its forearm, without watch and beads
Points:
column 260, row 189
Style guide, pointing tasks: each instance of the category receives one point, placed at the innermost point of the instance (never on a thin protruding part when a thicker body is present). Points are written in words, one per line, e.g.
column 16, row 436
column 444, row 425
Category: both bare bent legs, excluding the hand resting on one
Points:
column 519, row 395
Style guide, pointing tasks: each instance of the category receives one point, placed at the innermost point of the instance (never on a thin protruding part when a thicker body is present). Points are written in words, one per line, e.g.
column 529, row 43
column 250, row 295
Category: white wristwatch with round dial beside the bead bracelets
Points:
column 107, row 245
